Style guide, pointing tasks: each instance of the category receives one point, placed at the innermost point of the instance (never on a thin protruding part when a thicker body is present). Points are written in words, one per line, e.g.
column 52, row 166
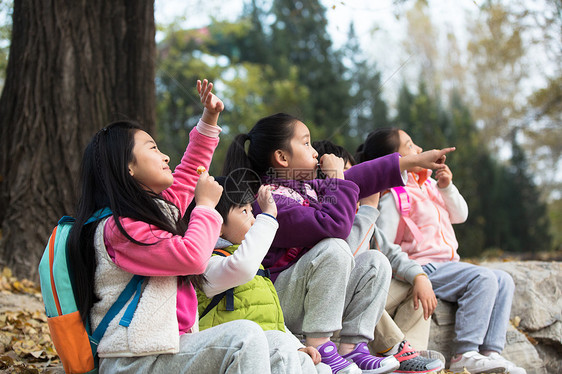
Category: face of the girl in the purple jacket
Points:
column 303, row 158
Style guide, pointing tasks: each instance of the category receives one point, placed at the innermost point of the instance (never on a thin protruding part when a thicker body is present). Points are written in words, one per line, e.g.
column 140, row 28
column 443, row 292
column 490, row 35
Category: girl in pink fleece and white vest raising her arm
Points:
column 124, row 170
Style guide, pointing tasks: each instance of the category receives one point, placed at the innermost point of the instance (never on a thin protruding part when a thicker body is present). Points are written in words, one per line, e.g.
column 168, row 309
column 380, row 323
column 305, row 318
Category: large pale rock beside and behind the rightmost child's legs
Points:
column 534, row 337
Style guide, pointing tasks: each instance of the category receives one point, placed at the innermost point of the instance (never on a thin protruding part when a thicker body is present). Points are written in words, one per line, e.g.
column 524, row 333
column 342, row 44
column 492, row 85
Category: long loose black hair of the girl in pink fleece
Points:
column 105, row 182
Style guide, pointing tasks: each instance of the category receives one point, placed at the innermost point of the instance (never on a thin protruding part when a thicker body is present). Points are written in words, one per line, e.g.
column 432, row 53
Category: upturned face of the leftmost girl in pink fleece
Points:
column 150, row 166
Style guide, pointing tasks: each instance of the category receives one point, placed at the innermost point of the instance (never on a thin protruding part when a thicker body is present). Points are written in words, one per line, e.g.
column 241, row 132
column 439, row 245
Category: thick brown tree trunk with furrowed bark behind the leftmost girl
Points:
column 73, row 67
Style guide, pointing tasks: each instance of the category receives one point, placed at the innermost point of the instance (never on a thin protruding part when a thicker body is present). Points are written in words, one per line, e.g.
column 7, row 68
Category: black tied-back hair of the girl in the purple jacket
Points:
column 268, row 135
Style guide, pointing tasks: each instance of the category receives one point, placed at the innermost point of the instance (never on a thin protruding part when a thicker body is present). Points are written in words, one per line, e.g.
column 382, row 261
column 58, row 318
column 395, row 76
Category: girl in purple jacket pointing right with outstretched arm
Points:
column 321, row 288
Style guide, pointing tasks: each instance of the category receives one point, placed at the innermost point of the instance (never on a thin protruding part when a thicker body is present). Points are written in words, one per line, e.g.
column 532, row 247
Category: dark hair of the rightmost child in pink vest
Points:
column 380, row 142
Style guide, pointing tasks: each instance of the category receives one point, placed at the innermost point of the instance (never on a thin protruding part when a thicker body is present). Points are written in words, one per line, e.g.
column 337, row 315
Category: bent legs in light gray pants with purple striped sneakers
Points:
column 312, row 292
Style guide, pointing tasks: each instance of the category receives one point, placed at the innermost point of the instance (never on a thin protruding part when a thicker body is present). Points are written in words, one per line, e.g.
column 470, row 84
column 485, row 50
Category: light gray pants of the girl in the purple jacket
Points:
column 323, row 292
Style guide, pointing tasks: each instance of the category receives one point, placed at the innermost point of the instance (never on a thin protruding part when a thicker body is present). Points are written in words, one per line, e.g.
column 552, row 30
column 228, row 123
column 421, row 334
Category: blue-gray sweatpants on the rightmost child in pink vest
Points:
column 484, row 298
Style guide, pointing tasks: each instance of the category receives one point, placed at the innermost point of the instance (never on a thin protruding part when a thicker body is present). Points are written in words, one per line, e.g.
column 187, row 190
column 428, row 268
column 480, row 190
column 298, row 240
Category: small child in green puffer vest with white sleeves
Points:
column 237, row 286
